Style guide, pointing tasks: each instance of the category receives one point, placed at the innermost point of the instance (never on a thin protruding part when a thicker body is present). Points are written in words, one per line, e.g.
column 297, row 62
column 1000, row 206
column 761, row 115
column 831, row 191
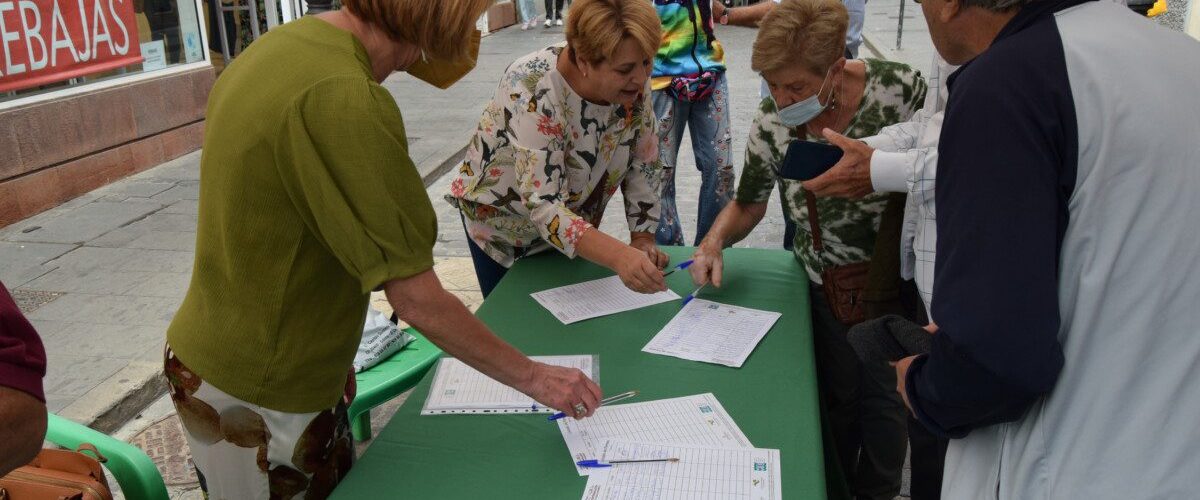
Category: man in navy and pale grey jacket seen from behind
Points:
column 1069, row 207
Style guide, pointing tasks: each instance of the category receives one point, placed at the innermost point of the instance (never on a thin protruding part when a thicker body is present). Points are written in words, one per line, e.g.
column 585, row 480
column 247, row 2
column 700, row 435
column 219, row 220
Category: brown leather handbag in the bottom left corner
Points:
column 59, row 474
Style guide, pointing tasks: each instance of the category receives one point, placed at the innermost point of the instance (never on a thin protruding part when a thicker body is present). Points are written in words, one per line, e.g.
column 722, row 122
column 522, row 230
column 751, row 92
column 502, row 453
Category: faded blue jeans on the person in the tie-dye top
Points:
column 711, row 142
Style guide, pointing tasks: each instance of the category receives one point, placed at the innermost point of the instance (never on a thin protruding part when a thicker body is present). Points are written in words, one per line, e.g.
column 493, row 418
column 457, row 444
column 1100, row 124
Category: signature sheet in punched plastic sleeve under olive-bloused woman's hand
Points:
column 460, row 389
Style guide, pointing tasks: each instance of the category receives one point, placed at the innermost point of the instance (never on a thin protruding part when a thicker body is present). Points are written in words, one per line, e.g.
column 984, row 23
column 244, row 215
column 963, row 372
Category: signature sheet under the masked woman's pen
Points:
column 713, row 333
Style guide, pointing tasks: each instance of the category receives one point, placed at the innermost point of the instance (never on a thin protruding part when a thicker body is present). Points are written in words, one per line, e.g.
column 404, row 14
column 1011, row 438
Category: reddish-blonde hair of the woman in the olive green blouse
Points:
column 440, row 28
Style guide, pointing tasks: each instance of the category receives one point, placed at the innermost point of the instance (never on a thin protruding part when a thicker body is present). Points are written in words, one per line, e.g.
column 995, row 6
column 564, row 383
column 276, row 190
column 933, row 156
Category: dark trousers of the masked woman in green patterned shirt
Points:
column 865, row 413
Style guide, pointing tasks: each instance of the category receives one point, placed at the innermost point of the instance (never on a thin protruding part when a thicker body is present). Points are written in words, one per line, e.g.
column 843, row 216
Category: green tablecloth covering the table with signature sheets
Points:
column 773, row 397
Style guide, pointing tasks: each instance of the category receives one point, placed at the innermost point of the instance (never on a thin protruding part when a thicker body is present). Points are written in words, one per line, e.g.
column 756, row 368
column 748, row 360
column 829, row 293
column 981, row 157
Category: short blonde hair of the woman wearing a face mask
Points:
column 807, row 33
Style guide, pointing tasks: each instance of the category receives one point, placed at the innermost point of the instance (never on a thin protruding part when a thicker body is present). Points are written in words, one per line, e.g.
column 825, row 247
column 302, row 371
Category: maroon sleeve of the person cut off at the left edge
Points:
column 22, row 356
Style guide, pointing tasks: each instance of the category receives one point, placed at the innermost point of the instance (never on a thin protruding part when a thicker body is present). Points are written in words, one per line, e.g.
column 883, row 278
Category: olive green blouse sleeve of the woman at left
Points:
column 344, row 161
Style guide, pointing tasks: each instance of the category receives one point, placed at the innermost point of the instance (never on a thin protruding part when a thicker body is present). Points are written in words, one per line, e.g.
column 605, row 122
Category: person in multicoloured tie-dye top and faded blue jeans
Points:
column 691, row 92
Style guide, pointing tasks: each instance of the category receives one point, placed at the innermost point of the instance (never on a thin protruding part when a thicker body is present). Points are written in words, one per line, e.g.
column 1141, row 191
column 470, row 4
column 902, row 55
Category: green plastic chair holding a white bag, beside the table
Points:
column 394, row 376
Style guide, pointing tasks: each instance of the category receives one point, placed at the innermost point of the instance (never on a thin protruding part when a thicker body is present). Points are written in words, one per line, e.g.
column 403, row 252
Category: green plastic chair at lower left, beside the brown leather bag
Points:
column 134, row 471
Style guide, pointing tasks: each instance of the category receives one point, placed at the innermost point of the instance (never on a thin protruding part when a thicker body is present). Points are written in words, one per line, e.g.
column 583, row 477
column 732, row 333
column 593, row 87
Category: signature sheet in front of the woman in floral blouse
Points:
column 596, row 299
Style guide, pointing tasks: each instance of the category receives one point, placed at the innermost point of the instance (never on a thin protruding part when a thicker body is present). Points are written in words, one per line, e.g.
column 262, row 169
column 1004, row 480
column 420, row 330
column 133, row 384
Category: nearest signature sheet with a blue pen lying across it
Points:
column 701, row 474
